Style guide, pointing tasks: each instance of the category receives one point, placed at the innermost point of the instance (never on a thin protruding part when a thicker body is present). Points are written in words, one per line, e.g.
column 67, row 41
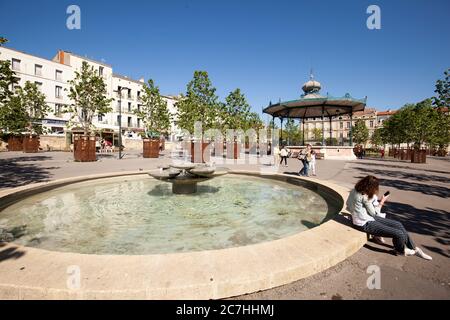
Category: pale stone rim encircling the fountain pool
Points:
column 213, row 274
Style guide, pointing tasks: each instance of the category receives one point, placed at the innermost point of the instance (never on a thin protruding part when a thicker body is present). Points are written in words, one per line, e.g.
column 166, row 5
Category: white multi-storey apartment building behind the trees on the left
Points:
column 52, row 76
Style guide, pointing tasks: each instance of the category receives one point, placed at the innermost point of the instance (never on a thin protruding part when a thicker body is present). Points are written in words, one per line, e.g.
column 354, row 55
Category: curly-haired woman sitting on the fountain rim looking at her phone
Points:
column 365, row 218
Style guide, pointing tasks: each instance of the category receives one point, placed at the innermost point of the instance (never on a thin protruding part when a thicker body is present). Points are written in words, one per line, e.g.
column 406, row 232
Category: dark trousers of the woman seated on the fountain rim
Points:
column 388, row 228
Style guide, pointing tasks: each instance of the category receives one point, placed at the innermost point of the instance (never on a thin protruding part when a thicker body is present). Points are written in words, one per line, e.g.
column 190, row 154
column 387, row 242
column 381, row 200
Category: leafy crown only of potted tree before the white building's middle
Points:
column 88, row 94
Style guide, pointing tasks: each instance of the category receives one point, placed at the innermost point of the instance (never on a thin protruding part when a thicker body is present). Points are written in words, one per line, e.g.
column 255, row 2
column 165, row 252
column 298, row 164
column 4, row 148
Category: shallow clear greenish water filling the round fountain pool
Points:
column 140, row 215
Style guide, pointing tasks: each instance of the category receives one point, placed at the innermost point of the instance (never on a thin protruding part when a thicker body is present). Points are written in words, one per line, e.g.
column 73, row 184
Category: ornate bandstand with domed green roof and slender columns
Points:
column 314, row 105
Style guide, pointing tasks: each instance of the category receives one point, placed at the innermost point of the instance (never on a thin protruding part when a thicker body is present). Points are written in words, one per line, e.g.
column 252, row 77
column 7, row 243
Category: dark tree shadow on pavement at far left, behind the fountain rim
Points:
column 18, row 171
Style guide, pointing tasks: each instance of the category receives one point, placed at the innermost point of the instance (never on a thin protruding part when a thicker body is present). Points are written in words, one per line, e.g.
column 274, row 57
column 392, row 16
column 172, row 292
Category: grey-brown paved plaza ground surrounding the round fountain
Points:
column 419, row 199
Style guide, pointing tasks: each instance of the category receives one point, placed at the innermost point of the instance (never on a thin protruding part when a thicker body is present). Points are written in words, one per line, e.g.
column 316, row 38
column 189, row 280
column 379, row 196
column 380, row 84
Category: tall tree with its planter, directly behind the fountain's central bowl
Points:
column 198, row 105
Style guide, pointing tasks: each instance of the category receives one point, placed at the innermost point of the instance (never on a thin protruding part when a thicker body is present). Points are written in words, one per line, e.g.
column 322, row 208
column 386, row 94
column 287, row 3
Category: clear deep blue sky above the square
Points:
column 266, row 48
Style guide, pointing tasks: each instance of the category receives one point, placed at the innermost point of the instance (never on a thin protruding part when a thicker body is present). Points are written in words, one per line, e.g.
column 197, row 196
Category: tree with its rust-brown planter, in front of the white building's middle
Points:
column 88, row 94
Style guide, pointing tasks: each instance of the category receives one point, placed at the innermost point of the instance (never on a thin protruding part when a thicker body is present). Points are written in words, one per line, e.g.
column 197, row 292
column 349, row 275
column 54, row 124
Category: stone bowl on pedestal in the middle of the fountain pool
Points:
column 185, row 176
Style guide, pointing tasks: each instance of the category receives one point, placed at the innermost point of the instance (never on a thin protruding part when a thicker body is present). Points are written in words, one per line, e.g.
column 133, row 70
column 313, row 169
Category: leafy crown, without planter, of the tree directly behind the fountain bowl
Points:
column 199, row 104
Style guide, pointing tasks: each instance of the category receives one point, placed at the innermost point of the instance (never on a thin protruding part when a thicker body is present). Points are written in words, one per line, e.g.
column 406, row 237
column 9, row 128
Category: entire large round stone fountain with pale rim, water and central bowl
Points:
column 133, row 238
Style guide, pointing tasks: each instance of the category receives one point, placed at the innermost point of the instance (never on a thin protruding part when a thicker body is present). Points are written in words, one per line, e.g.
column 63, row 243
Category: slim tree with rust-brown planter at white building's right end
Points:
column 156, row 118
